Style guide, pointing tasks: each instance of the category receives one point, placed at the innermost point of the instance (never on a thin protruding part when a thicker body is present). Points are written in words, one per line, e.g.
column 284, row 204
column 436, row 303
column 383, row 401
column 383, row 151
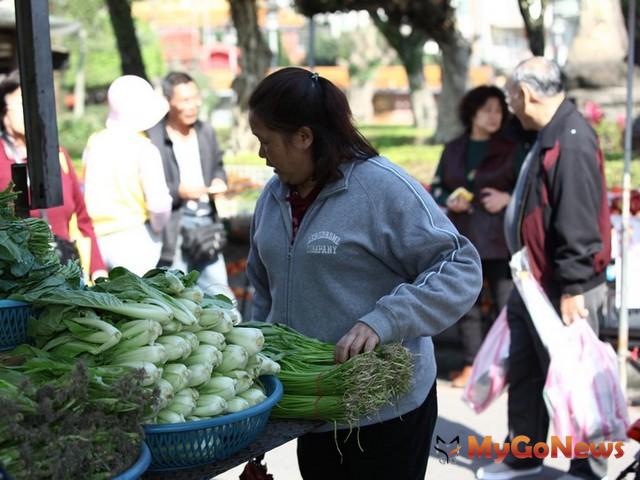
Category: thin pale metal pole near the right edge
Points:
column 623, row 327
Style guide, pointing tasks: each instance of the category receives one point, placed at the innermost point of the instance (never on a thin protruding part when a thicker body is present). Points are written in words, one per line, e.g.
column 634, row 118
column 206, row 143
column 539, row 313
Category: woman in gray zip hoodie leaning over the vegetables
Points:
column 348, row 248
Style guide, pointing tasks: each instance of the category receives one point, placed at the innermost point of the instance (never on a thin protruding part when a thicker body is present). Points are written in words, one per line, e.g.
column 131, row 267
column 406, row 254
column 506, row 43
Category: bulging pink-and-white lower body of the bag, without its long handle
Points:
column 582, row 391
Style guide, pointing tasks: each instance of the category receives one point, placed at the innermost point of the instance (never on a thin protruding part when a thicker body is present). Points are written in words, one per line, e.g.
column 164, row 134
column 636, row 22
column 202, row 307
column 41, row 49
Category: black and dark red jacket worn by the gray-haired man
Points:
column 565, row 222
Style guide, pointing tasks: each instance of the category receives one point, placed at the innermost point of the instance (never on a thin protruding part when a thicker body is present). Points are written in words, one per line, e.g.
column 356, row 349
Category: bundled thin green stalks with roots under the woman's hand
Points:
column 315, row 387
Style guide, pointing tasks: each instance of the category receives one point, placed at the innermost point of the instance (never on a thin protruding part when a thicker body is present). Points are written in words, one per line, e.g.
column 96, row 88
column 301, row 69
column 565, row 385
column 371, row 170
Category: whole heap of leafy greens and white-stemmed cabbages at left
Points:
column 110, row 357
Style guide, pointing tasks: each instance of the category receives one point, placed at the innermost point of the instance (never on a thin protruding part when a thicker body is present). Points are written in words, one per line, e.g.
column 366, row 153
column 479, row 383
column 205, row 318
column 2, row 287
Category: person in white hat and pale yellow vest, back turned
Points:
column 125, row 189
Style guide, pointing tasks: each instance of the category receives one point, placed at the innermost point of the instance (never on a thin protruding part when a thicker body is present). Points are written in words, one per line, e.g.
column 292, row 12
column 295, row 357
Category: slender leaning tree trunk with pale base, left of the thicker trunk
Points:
column 410, row 50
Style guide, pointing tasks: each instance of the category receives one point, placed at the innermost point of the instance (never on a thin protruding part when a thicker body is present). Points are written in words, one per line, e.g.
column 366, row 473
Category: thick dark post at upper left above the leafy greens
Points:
column 38, row 100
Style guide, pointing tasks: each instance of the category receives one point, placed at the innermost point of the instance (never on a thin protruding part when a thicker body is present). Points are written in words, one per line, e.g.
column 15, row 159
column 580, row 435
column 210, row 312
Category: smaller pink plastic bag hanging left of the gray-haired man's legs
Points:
column 489, row 372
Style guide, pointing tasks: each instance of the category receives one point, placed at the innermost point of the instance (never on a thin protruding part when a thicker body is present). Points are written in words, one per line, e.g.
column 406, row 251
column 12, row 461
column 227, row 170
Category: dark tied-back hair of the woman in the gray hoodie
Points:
column 292, row 98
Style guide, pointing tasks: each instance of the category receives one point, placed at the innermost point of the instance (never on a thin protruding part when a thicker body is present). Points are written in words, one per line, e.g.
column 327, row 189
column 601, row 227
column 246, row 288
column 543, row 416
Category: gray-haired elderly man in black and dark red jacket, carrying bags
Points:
column 559, row 211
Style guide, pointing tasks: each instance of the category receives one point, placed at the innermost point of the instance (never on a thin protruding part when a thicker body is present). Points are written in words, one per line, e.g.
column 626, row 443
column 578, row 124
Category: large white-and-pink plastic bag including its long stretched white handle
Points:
column 582, row 391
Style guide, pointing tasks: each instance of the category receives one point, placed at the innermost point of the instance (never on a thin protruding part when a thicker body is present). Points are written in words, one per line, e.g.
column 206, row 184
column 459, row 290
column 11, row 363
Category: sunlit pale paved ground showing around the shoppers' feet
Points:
column 455, row 418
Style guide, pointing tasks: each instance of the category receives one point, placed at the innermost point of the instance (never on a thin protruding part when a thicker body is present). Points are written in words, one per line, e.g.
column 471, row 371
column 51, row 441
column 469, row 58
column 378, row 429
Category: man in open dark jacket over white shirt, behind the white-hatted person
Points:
column 192, row 161
